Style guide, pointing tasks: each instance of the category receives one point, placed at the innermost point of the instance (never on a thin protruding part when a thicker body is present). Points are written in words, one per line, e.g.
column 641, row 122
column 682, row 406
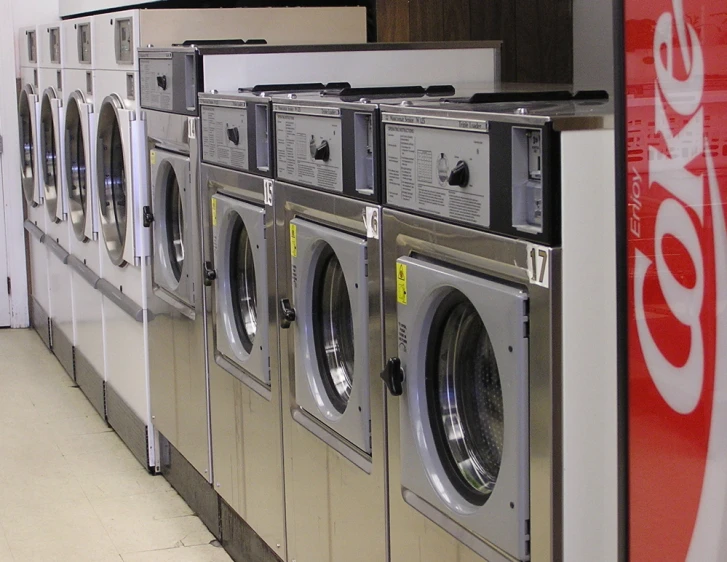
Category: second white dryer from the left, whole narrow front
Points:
column 52, row 152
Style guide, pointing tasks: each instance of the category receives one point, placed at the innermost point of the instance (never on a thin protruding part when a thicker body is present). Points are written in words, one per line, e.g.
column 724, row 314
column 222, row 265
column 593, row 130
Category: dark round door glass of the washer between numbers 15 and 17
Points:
column 333, row 329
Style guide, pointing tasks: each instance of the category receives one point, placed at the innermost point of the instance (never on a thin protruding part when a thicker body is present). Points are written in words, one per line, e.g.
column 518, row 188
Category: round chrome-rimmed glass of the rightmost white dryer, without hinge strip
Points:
column 112, row 186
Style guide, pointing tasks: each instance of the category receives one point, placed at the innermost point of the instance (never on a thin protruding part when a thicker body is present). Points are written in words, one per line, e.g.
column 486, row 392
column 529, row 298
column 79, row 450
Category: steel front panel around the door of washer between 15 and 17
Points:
column 335, row 510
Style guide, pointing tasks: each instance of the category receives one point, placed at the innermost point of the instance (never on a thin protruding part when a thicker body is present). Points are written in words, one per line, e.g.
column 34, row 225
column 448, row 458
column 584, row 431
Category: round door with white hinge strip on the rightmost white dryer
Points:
column 114, row 180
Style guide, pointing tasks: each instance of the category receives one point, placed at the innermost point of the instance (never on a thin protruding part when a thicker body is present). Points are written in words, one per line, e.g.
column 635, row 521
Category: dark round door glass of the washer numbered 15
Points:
column 242, row 283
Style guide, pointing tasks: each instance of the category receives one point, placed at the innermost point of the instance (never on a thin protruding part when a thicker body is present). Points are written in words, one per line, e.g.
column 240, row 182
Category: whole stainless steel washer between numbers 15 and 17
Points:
column 328, row 214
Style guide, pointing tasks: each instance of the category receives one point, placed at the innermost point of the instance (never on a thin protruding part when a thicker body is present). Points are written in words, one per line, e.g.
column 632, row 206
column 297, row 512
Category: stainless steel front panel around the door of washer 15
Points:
column 246, row 424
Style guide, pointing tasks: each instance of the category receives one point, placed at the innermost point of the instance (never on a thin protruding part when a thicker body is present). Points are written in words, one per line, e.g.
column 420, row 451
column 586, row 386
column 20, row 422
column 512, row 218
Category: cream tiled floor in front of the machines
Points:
column 69, row 488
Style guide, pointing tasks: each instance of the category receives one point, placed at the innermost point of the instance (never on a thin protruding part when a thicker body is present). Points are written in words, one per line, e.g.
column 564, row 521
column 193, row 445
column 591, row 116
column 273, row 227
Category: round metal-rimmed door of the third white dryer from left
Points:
column 77, row 164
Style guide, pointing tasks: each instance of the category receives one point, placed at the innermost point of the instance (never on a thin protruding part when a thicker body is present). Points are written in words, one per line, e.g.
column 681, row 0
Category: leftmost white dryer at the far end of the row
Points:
column 35, row 215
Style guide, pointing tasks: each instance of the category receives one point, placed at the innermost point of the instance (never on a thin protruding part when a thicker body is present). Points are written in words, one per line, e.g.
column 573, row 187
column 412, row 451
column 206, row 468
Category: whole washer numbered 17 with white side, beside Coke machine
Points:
column 498, row 254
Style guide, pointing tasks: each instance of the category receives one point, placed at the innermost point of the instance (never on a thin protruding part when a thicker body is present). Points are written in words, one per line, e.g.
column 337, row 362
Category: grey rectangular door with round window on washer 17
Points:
column 464, row 411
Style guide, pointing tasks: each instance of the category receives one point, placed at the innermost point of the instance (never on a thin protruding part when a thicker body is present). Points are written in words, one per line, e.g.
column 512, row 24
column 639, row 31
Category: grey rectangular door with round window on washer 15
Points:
column 242, row 290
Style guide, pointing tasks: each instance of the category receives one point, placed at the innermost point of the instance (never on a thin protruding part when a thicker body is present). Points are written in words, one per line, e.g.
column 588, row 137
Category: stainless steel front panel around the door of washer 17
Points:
column 508, row 260
